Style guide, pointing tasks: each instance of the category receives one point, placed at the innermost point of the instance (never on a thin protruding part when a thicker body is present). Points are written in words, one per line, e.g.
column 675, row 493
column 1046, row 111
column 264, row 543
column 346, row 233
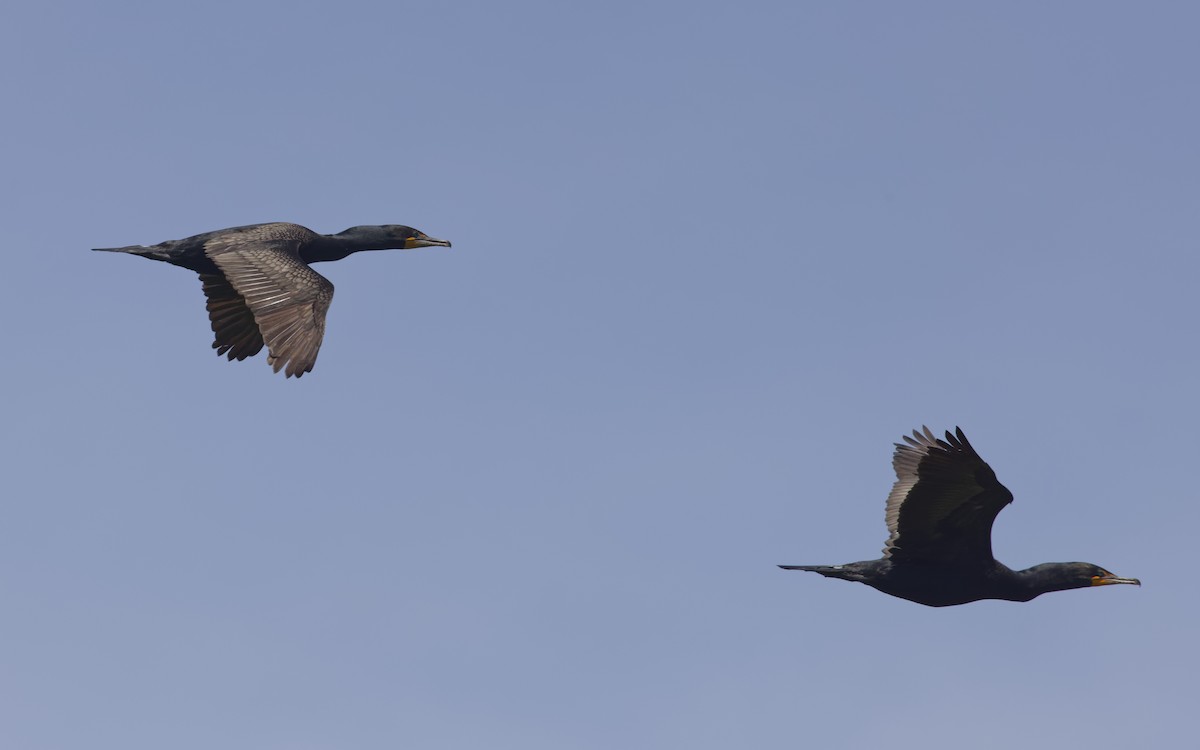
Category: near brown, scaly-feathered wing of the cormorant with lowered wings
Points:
column 287, row 299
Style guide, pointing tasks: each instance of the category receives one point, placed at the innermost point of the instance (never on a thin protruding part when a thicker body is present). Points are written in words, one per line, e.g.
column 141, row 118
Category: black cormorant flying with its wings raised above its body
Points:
column 940, row 517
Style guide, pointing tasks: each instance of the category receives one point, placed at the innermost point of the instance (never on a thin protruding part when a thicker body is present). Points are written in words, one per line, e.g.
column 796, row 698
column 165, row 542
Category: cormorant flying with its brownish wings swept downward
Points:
column 260, row 286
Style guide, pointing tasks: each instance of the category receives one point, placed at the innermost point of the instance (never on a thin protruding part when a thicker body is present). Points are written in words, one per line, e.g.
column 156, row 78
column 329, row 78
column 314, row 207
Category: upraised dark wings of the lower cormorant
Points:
column 944, row 503
